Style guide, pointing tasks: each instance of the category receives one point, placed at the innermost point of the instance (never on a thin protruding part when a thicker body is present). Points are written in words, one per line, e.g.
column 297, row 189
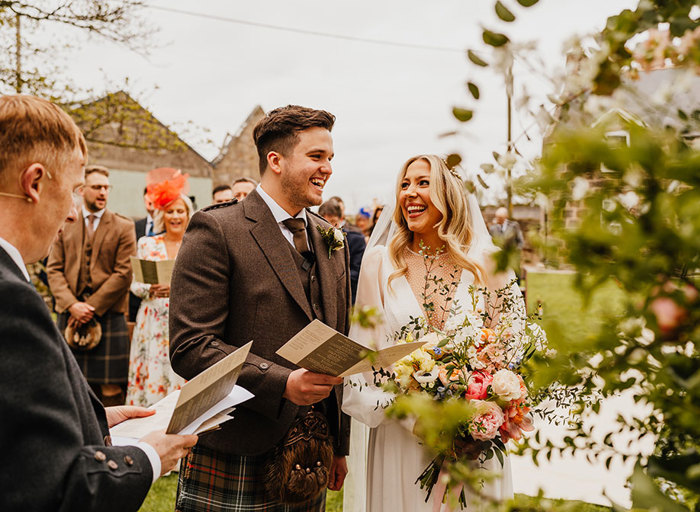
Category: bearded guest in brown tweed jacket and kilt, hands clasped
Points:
column 89, row 274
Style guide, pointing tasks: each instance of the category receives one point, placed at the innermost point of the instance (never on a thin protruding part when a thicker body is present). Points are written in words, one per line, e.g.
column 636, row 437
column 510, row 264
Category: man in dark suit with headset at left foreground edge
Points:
column 54, row 433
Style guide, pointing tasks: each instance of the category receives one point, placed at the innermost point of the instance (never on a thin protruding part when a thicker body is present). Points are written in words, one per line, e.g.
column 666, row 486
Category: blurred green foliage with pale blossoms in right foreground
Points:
column 629, row 165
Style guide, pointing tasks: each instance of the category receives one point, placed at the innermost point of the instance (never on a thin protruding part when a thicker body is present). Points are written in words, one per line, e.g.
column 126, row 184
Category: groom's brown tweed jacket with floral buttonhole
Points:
column 235, row 280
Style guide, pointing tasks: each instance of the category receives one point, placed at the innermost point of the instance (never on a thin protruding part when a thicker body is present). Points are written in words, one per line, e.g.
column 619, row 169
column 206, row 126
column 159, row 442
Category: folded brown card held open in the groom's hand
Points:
column 322, row 349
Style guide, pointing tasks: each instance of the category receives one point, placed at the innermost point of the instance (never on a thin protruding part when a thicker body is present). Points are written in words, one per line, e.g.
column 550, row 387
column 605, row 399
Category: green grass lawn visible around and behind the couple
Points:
column 564, row 314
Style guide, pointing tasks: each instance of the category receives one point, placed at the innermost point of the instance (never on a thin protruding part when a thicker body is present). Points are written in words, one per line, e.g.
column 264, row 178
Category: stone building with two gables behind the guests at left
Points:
column 127, row 139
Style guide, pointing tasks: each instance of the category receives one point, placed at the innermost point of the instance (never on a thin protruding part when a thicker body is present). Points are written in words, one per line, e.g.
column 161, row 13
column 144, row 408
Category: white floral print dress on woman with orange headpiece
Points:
column 150, row 375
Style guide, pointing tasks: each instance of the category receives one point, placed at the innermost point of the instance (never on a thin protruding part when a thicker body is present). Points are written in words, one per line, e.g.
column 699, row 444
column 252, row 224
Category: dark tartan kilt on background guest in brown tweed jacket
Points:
column 108, row 362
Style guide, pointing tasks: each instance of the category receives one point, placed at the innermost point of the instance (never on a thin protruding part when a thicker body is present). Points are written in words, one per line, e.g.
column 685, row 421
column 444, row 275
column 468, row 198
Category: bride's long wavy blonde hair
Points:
column 448, row 195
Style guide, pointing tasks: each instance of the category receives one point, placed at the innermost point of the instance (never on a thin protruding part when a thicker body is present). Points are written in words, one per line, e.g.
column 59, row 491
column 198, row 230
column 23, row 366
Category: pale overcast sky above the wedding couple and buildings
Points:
column 391, row 102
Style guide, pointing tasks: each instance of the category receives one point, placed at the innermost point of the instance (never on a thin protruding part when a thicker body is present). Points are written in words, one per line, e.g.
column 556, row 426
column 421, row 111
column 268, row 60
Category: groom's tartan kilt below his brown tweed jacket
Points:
column 211, row 481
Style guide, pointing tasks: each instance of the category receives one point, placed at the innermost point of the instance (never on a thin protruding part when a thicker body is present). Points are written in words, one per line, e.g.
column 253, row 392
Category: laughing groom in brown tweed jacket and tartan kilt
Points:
column 260, row 270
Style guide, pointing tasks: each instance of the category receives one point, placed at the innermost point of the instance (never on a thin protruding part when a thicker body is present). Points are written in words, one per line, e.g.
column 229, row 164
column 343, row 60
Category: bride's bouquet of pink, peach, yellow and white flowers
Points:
column 475, row 362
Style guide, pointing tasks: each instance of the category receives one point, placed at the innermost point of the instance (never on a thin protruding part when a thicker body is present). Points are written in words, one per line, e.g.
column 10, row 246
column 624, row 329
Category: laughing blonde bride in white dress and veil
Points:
column 434, row 215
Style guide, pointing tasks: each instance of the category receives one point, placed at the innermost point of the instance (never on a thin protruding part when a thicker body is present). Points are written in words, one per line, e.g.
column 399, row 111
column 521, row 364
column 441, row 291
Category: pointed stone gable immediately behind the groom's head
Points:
column 238, row 157
